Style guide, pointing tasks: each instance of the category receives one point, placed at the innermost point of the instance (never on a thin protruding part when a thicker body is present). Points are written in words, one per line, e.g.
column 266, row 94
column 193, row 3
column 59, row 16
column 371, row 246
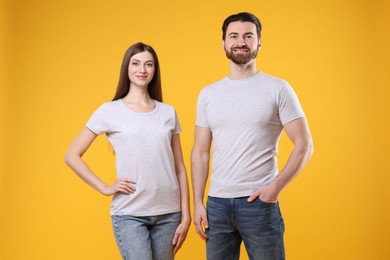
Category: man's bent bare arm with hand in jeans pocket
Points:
column 299, row 134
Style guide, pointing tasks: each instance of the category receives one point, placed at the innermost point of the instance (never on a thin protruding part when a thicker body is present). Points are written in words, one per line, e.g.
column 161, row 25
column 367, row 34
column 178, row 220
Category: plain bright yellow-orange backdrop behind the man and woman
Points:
column 60, row 60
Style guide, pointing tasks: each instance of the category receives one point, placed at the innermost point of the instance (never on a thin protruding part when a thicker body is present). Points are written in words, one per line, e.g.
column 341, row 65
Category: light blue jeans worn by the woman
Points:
column 146, row 238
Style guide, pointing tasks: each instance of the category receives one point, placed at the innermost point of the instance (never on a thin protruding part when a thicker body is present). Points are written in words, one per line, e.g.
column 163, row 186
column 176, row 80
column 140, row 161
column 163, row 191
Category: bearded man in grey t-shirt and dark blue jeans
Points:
column 243, row 115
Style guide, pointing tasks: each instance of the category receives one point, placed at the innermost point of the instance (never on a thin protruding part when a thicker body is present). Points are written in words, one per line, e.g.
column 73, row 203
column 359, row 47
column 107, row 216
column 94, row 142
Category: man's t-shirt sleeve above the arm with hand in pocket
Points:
column 289, row 105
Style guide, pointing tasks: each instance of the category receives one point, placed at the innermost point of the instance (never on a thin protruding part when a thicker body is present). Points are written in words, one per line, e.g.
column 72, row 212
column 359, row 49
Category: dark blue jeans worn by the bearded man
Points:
column 260, row 225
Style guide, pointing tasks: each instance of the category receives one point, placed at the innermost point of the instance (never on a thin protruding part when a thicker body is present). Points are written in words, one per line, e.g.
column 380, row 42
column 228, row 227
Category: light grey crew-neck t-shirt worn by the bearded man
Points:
column 246, row 118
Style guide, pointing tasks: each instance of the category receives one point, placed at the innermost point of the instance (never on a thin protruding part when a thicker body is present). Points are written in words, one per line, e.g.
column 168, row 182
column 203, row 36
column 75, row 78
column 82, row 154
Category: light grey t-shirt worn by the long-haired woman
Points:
column 142, row 145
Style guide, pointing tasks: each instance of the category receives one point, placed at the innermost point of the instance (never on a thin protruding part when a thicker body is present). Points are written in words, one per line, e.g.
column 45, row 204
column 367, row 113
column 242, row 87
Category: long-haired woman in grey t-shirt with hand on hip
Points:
column 150, row 207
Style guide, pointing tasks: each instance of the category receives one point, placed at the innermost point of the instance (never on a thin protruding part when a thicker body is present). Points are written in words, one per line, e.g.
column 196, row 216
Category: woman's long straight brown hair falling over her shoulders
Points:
column 154, row 86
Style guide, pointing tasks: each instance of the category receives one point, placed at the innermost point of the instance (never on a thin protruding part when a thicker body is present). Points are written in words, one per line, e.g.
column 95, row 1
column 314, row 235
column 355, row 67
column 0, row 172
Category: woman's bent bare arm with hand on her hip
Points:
column 73, row 158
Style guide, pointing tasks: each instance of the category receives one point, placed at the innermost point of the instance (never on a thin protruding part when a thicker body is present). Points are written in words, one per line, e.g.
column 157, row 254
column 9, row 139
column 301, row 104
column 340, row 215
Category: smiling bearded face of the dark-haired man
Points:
column 241, row 42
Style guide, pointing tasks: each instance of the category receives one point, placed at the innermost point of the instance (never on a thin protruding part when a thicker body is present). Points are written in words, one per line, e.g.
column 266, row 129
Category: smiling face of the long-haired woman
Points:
column 141, row 69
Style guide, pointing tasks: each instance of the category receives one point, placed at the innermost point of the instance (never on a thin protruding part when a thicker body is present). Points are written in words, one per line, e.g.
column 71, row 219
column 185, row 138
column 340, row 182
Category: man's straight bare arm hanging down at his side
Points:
column 200, row 158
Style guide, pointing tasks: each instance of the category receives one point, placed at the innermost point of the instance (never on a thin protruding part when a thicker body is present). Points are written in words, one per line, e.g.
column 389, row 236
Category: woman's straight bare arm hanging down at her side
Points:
column 181, row 232
